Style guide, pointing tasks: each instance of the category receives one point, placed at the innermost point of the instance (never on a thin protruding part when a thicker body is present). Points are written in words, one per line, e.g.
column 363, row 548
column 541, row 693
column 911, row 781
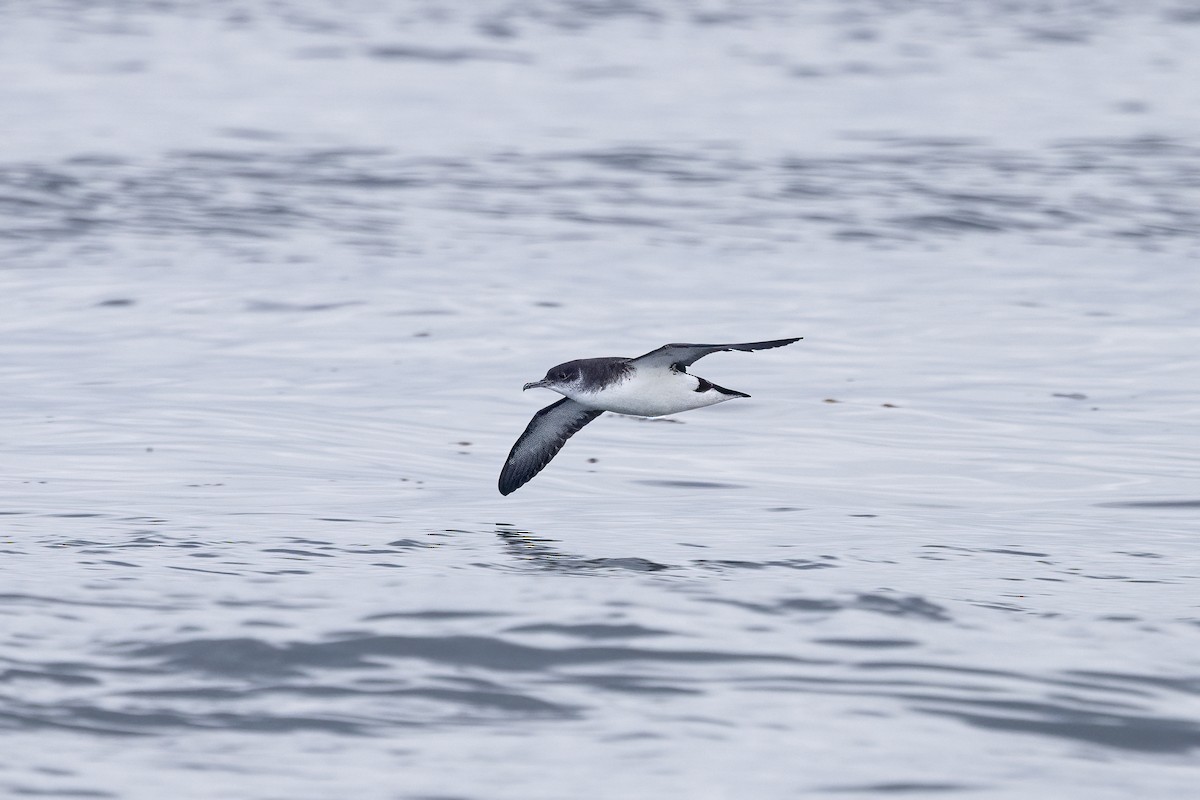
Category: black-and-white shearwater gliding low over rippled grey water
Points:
column 655, row 384
